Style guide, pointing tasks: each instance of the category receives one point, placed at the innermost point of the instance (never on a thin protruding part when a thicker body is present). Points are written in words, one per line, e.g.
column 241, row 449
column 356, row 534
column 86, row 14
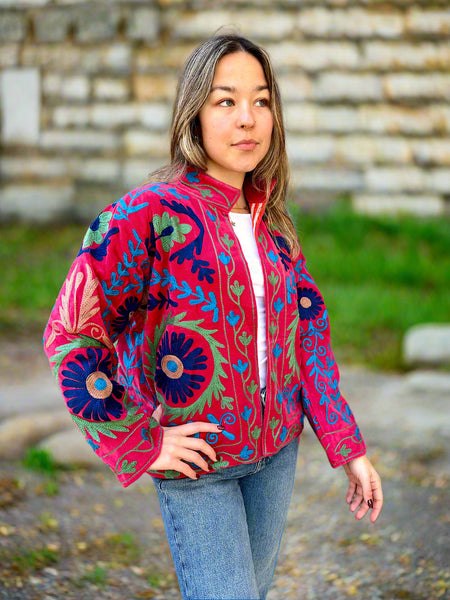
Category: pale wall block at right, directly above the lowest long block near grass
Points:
column 395, row 179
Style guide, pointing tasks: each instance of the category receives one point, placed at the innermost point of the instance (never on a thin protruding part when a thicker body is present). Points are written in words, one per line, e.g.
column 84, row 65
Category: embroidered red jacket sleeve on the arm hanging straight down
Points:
column 327, row 411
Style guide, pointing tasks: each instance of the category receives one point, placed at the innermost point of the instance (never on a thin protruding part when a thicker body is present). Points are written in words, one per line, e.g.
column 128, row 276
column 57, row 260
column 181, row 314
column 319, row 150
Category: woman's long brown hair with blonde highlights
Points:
column 186, row 148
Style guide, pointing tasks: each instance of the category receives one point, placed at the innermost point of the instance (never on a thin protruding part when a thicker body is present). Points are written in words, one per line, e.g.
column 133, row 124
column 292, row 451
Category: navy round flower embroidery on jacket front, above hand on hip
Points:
column 177, row 367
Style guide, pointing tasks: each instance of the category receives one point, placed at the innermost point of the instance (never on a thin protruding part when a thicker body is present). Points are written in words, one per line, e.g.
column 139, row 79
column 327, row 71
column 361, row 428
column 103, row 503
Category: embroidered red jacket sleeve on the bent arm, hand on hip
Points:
column 104, row 292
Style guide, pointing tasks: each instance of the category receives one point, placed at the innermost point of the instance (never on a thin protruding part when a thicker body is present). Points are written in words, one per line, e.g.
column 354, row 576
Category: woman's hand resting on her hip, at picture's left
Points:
column 179, row 448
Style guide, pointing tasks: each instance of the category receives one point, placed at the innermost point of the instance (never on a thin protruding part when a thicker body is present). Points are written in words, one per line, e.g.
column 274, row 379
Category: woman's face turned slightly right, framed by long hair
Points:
column 236, row 120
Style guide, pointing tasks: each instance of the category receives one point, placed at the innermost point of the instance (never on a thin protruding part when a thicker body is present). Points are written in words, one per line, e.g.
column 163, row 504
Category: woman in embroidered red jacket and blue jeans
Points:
column 190, row 341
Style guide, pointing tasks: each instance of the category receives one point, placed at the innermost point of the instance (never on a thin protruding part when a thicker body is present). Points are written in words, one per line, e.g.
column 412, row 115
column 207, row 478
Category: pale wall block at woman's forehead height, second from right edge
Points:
column 348, row 86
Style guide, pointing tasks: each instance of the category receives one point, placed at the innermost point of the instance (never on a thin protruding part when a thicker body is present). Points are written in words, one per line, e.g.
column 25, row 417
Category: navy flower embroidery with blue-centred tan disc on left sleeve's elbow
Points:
column 89, row 391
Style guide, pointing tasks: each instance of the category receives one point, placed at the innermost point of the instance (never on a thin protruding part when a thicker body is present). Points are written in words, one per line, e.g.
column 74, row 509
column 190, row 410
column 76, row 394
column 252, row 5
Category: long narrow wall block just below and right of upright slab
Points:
column 88, row 140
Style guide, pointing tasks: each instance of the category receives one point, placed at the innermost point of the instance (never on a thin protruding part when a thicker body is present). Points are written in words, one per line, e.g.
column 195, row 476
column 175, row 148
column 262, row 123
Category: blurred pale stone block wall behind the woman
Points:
column 86, row 92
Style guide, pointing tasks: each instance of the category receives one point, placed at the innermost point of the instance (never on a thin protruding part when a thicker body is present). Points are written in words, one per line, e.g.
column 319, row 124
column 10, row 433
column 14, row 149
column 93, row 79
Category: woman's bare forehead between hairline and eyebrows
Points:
column 239, row 68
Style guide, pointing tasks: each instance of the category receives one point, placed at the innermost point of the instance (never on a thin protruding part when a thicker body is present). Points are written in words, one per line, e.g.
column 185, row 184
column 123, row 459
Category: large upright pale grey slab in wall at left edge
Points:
column 20, row 101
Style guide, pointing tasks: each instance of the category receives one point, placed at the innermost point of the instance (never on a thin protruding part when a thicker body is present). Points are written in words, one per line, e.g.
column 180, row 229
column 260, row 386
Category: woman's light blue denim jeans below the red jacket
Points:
column 224, row 529
